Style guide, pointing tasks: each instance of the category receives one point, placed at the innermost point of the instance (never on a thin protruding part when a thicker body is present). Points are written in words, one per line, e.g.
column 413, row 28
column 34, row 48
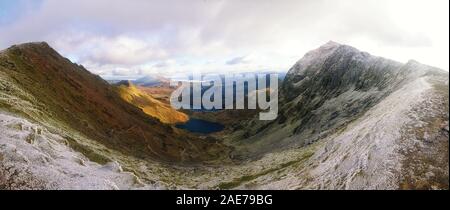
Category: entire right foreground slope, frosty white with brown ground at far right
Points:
column 376, row 151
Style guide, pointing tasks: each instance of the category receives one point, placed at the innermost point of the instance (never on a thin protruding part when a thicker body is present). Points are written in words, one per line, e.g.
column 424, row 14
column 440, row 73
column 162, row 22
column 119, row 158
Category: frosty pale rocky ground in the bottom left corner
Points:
column 33, row 158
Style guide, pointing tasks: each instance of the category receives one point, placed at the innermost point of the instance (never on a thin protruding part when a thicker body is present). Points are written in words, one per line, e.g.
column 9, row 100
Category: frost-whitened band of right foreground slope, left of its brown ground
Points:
column 365, row 155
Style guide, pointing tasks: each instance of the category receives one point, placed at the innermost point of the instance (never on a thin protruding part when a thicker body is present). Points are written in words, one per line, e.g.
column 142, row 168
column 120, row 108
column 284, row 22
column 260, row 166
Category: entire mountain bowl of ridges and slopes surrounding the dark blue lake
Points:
column 346, row 120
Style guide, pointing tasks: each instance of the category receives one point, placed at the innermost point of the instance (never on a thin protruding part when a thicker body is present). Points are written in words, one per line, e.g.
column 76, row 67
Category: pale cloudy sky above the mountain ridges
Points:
column 129, row 38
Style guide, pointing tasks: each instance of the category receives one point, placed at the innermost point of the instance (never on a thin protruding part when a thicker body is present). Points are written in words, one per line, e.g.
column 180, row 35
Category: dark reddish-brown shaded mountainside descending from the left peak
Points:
column 40, row 84
